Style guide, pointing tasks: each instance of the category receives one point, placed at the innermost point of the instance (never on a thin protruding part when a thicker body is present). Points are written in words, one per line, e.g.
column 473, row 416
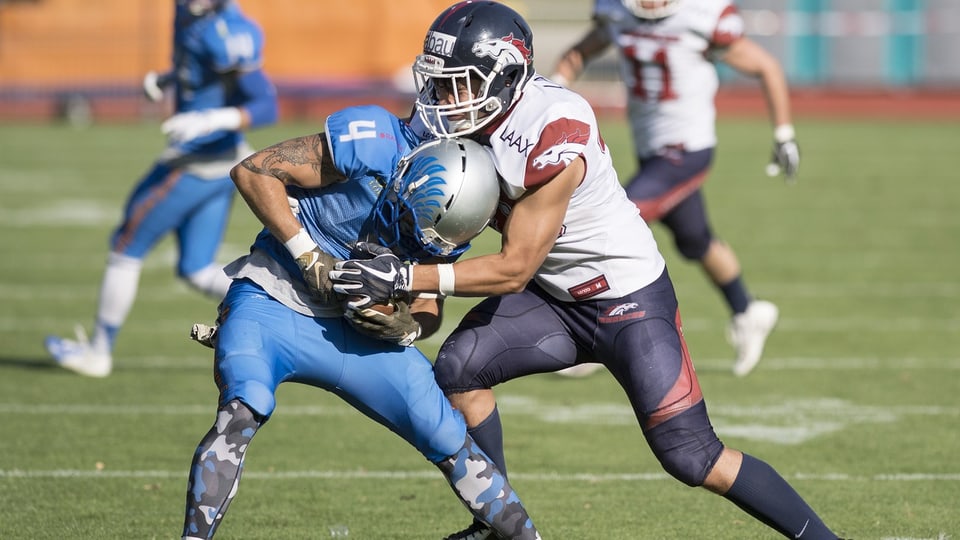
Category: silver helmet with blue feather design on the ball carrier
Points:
column 442, row 195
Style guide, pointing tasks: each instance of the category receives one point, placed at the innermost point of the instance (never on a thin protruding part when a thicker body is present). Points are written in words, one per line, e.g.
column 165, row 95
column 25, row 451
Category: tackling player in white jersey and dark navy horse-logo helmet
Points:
column 578, row 278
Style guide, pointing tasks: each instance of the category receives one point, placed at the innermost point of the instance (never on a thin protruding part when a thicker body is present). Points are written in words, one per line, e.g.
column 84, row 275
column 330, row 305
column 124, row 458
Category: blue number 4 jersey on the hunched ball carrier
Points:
column 366, row 144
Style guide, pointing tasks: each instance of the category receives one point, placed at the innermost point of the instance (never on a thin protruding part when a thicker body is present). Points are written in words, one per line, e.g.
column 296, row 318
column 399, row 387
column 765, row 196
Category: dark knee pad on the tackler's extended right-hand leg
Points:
column 686, row 445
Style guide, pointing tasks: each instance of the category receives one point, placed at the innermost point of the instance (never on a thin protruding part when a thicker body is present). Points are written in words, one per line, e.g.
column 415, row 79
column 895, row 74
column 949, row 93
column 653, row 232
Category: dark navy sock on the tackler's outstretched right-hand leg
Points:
column 764, row 494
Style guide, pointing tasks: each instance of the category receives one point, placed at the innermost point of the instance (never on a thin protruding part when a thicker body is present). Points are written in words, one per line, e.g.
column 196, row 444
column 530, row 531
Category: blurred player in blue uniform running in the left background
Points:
column 219, row 90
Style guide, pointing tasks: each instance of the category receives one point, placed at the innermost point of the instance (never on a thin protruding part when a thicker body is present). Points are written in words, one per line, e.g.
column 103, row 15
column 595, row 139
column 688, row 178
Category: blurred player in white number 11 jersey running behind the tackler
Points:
column 667, row 50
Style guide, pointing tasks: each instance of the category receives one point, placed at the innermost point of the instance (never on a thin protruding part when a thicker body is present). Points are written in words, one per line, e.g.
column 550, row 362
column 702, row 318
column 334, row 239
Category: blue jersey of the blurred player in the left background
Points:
column 207, row 48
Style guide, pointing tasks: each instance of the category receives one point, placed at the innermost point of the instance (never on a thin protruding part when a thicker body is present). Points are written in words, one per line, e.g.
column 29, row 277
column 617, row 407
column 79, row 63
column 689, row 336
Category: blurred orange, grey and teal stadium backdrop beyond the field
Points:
column 74, row 59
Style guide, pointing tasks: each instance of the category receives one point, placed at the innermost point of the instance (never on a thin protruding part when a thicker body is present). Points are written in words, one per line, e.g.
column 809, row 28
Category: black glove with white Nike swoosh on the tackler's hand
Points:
column 373, row 275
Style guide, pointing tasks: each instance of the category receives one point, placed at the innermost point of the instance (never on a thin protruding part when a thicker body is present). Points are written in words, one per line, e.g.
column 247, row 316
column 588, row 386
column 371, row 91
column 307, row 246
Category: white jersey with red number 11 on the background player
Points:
column 667, row 67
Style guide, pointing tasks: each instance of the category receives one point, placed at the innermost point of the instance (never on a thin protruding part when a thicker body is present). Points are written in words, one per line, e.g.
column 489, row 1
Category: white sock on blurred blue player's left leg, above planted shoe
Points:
column 117, row 293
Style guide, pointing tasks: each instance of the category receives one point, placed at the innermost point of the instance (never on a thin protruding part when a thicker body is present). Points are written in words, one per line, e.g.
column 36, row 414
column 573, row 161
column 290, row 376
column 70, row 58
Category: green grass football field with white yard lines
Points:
column 856, row 401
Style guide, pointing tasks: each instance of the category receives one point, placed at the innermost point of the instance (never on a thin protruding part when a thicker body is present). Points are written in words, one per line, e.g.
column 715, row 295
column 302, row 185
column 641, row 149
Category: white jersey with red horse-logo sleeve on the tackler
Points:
column 604, row 250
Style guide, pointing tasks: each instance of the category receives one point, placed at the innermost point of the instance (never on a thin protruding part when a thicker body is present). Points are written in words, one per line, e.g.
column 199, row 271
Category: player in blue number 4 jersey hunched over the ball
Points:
column 366, row 177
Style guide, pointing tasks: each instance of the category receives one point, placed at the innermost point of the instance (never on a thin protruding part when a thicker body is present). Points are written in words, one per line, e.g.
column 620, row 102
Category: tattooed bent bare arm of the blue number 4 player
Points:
column 262, row 178
